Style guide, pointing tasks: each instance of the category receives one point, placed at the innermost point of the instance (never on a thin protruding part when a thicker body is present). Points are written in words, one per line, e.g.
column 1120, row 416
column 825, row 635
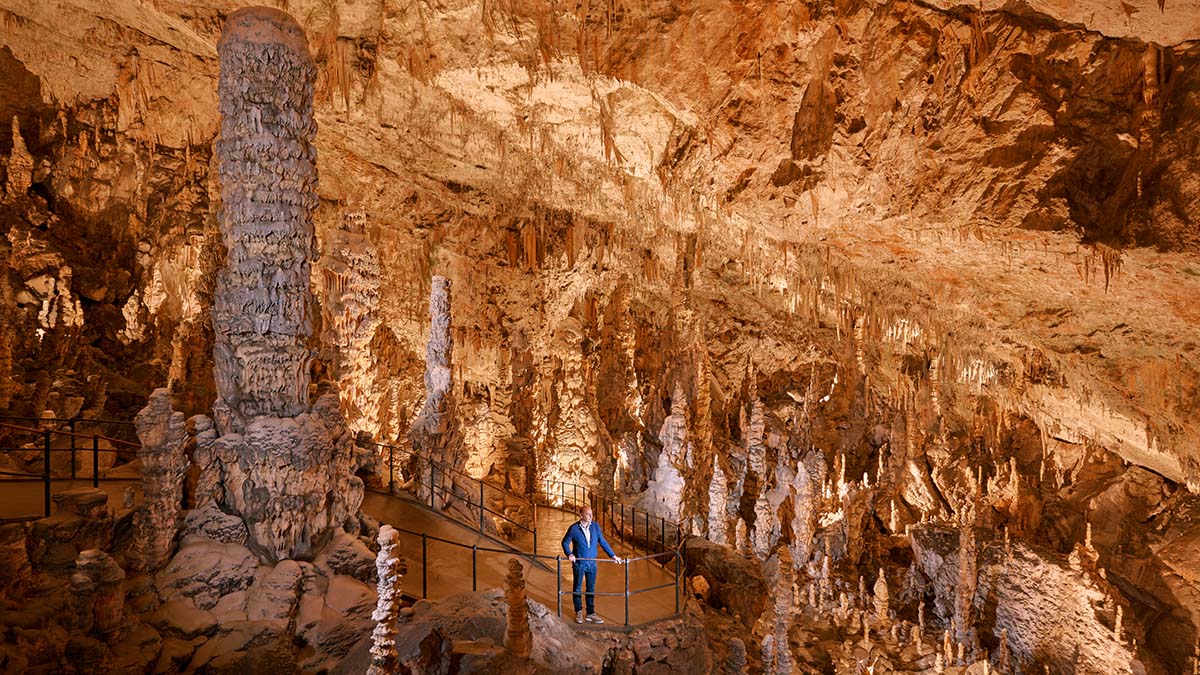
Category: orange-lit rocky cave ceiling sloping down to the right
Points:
column 1009, row 189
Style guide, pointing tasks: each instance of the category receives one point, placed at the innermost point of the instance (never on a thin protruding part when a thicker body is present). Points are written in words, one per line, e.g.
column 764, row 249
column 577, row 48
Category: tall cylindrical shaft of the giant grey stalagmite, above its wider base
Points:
column 268, row 171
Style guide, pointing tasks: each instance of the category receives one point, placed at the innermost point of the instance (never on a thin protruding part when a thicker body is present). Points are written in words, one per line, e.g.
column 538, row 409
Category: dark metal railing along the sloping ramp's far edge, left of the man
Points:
column 455, row 487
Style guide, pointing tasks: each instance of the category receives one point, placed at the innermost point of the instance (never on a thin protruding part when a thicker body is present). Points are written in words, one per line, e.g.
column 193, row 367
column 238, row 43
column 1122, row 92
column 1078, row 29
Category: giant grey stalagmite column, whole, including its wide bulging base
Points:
column 286, row 468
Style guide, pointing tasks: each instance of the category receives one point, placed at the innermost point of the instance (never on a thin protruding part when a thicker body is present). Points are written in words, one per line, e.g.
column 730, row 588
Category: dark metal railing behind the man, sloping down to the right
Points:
column 657, row 534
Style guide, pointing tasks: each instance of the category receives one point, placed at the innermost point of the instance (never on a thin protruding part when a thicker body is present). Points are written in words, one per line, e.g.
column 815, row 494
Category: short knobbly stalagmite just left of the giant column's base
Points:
column 164, row 468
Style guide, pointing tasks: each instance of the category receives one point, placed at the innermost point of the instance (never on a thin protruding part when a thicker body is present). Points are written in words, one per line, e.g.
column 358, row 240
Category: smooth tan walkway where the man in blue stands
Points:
column 449, row 570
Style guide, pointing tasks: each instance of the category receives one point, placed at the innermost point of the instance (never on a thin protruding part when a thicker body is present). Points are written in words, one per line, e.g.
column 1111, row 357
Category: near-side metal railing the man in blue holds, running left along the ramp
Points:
column 673, row 558
